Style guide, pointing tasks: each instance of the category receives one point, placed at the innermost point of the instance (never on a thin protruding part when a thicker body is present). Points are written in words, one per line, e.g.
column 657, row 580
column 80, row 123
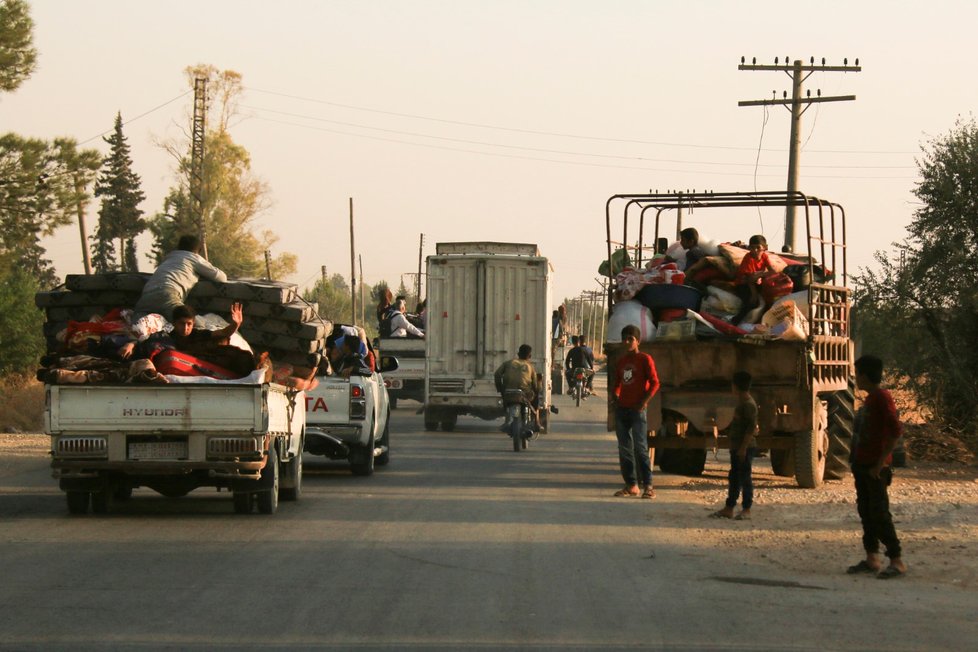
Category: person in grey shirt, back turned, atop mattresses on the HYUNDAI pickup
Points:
column 176, row 276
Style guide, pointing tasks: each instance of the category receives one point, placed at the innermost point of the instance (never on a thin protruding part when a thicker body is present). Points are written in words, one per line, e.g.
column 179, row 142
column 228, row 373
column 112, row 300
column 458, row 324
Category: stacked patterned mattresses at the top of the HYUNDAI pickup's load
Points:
column 276, row 319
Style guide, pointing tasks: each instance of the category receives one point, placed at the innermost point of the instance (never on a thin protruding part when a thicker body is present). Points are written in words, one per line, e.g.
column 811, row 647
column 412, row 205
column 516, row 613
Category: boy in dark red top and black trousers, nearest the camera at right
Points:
column 872, row 473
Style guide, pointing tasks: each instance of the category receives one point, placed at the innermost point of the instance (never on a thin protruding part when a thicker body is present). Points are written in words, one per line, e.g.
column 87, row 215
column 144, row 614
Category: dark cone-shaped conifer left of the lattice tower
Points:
column 120, row 216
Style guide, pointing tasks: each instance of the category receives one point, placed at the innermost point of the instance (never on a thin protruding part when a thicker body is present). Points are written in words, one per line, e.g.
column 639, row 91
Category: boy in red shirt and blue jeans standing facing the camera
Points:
column 633, row 385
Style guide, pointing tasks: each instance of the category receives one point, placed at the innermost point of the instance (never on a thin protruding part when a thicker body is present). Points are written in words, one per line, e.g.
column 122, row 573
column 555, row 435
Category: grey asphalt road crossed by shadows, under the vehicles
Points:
column 459, row 543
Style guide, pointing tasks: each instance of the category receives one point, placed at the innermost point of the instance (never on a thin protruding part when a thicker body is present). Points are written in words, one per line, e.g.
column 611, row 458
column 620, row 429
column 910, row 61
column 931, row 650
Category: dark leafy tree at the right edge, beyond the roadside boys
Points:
column 919, row 309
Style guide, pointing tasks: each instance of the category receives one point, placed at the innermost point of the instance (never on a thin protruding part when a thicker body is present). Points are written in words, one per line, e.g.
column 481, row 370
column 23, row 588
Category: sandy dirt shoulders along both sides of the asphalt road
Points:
column 801, row 531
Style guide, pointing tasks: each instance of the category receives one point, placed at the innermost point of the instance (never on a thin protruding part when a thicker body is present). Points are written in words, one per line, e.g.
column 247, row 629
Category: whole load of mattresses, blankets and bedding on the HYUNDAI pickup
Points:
column 280, row 340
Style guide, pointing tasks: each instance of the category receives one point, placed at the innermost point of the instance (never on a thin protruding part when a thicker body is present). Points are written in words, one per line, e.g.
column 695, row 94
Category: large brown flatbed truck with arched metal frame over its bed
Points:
column 804, row 389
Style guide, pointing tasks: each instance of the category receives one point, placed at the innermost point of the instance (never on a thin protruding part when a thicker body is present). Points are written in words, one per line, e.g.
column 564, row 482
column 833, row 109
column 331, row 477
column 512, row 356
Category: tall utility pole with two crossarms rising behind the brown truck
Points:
column 798, row 73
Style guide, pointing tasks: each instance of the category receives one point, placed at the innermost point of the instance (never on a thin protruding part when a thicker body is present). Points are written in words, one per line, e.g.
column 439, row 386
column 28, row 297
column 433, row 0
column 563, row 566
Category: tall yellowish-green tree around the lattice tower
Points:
column 233, row 196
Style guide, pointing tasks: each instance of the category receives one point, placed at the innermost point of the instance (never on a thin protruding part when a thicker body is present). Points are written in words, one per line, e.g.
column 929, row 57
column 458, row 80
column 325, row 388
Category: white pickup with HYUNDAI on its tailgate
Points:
column 108, row 439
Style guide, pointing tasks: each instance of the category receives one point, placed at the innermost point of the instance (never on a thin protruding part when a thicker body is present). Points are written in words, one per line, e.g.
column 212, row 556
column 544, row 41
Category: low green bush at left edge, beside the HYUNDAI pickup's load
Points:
column 21, row 338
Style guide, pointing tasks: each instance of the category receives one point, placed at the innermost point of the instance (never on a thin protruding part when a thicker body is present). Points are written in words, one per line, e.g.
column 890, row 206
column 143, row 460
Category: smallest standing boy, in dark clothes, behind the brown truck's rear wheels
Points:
column 741, row 435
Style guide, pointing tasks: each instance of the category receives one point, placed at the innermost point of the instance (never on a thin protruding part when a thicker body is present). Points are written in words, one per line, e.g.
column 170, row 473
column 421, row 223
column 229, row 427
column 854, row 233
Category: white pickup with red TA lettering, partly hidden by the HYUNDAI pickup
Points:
column 349, row 418
